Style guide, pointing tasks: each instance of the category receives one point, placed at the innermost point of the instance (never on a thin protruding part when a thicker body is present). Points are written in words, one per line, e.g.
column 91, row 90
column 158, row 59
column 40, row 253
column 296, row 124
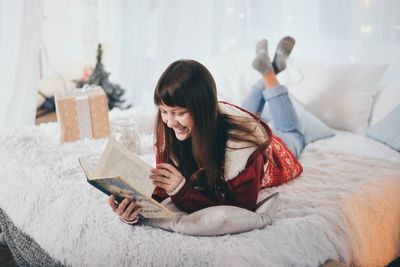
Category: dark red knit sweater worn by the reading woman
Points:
column 259, row 171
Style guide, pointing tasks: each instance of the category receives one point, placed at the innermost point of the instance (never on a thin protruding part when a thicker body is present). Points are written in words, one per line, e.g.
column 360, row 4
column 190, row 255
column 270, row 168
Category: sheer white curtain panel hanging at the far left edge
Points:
column 20, row 31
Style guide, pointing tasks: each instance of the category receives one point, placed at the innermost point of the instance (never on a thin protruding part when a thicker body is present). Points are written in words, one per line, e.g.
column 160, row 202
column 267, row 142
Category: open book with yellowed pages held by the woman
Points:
column 125, row 175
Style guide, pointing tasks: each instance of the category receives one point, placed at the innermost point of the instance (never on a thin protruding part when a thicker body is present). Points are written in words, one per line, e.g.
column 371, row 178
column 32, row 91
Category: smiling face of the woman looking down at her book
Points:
column 178, row 119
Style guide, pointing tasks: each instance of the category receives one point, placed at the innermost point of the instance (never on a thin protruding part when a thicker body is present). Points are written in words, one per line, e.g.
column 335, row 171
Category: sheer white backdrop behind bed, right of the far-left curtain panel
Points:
column 142, row 37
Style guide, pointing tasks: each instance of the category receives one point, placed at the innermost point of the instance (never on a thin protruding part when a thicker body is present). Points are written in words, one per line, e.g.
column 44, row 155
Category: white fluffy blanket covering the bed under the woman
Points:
column 343, row 207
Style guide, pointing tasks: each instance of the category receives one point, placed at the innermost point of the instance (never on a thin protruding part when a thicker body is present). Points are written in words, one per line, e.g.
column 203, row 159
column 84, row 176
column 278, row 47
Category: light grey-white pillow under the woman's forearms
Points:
column 218, row 220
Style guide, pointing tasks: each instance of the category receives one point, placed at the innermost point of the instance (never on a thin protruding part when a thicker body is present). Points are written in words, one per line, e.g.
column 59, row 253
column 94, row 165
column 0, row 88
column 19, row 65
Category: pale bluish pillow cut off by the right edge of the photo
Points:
column 386, row 100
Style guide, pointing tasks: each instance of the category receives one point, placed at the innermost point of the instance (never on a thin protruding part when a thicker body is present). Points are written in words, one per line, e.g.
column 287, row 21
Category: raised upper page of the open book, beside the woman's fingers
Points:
column 119, row 161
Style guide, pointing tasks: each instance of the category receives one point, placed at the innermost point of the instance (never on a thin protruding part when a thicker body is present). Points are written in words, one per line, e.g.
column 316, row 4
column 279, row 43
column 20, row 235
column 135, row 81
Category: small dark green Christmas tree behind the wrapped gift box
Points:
column 99, row 77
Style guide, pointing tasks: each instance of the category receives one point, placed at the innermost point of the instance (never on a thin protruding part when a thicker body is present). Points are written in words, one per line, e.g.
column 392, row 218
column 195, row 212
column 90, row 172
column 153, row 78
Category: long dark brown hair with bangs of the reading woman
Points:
column 188, row 84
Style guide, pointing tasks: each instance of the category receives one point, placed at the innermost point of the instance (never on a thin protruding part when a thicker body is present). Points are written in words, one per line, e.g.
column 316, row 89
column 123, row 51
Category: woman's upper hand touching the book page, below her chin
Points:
column 166, row 176
